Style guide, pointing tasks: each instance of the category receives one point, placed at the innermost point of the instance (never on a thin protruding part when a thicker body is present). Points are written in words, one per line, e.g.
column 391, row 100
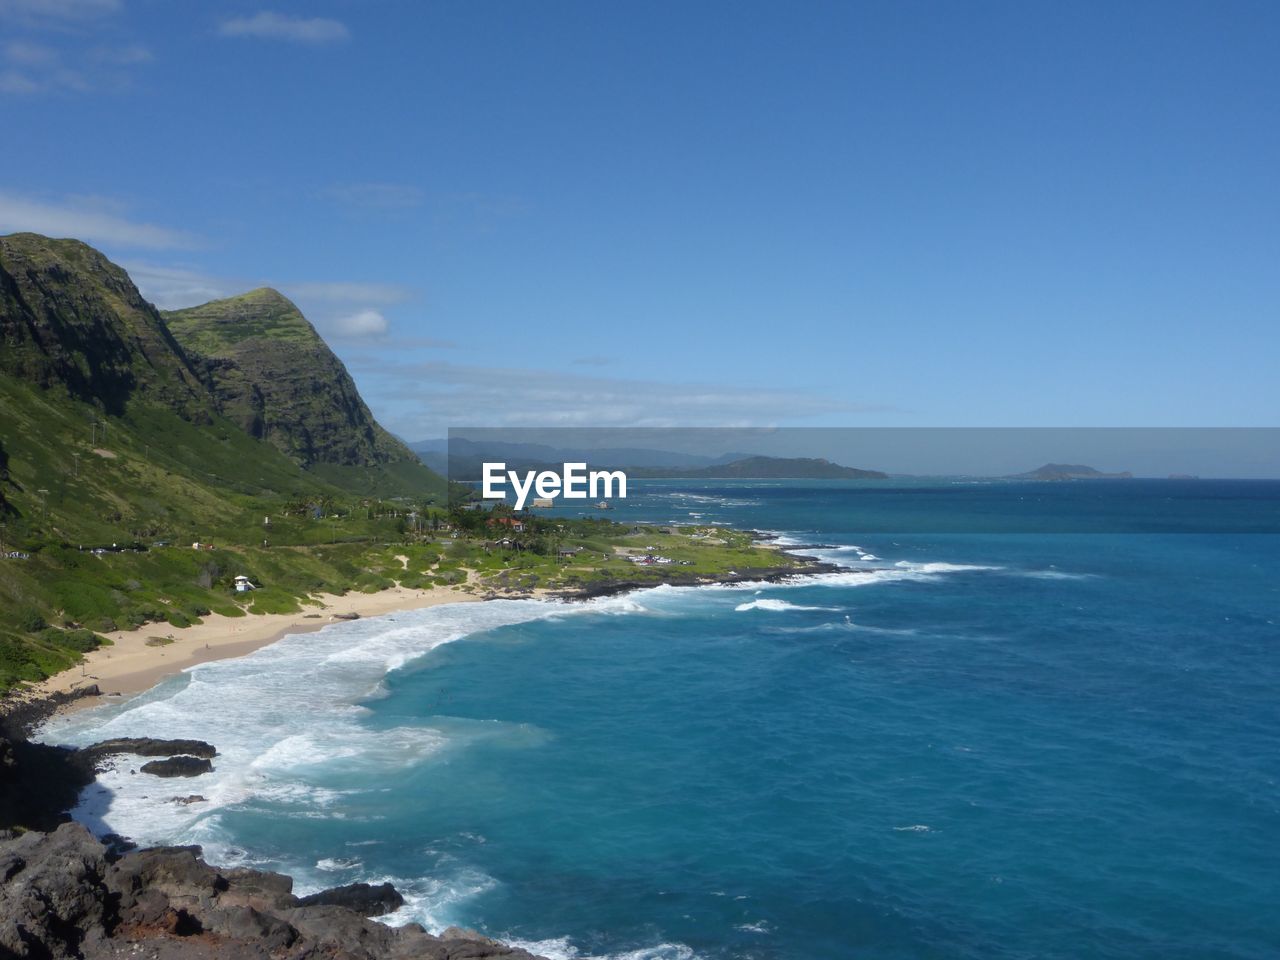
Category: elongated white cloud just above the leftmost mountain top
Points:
column 89, row 221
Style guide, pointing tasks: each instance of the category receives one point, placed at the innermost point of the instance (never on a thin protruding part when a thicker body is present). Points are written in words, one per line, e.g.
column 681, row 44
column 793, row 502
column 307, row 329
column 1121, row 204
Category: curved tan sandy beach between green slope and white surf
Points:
column 131, row 665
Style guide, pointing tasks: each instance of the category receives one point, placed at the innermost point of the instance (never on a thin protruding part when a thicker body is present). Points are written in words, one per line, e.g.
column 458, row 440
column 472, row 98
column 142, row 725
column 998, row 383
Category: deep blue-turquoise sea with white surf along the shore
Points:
column 1062, row 743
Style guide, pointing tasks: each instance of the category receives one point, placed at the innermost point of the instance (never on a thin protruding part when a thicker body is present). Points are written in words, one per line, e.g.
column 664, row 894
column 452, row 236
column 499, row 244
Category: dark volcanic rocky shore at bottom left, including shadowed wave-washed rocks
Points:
column 66, row 894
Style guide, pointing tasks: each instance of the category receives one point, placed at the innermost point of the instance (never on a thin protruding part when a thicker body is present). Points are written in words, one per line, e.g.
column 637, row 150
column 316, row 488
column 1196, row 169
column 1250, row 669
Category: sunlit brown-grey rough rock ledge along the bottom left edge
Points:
column 63, row 895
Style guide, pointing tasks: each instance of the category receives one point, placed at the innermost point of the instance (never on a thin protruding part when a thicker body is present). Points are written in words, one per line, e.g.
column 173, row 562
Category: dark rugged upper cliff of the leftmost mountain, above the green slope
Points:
column 72, row 319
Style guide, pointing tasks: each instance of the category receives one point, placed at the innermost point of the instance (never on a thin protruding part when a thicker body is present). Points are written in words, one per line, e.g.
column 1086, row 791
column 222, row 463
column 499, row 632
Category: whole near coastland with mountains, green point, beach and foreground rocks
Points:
column 182, row 487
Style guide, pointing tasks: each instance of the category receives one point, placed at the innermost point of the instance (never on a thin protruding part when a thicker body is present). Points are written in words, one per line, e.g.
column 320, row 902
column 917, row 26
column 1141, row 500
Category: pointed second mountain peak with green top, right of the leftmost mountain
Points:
column 276, row 377
